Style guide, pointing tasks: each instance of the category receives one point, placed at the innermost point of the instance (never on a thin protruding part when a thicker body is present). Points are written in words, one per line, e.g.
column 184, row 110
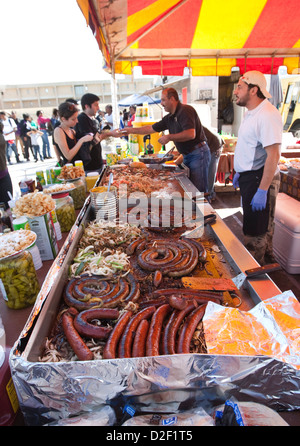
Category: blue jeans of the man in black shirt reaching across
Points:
column 198, row 163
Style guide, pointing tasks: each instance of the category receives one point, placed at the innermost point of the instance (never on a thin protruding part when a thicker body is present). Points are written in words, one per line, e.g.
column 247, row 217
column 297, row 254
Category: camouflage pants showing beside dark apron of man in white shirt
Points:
column 261, row 247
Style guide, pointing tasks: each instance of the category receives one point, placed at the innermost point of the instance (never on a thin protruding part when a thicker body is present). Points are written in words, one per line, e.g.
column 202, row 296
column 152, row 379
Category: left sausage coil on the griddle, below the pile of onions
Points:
column 85, row 292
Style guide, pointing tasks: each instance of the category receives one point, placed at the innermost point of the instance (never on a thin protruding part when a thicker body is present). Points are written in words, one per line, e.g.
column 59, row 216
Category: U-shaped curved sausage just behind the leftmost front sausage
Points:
column 83, row 325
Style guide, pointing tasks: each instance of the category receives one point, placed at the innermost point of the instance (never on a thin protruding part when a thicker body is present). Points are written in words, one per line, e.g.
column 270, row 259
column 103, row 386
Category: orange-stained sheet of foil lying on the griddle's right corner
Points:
column 271, row 328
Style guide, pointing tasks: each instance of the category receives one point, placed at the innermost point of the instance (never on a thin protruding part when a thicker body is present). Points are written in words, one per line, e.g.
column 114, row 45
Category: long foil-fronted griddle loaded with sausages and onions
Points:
column 54, row 384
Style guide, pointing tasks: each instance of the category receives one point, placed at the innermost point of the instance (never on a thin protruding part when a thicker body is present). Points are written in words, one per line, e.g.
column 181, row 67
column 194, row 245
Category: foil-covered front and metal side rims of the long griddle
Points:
column 51, row 391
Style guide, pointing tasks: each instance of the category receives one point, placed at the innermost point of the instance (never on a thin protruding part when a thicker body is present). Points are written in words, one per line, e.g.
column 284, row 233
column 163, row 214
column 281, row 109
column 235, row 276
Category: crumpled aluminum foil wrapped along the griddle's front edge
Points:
column 48, row 392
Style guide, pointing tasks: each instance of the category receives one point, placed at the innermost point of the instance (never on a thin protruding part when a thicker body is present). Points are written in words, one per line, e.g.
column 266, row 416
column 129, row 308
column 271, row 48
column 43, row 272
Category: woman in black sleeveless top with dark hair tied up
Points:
column 64, row 137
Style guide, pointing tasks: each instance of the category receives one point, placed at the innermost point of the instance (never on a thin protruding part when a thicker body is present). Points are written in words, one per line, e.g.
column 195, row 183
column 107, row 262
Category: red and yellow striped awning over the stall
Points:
column 208, row 36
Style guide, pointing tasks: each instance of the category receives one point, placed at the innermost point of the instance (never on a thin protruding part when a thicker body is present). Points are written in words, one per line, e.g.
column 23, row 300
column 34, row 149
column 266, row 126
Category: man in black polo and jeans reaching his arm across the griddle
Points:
column 186, row 131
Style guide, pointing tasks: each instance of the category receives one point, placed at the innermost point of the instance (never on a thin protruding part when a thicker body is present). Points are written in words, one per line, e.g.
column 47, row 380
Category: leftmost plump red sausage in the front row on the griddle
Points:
column 77, row 344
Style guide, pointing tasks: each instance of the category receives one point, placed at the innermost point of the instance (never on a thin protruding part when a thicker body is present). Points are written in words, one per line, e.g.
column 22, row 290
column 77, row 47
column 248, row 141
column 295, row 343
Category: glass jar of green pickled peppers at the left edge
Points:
column 19, row 285
